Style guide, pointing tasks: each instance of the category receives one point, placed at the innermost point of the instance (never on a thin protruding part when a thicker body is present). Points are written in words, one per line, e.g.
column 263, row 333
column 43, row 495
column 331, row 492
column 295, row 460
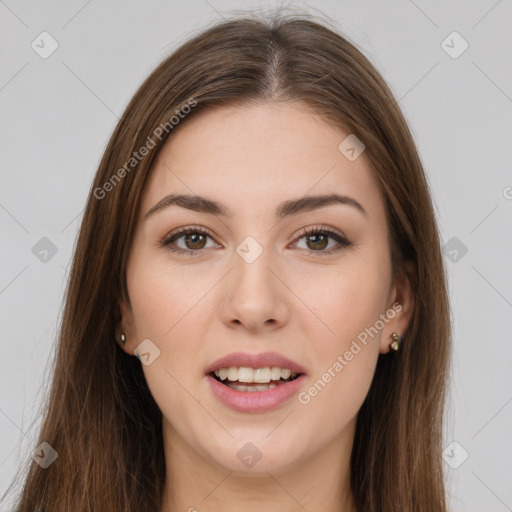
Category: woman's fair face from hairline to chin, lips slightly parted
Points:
column 247, row 280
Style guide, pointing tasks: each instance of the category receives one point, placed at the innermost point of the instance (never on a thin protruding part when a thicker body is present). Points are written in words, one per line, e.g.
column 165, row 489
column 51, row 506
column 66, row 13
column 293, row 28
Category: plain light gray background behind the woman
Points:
column 58, row 113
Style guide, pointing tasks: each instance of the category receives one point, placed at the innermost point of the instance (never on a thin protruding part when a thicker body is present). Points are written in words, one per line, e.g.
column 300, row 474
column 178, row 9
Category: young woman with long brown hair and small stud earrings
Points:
column 257, row 313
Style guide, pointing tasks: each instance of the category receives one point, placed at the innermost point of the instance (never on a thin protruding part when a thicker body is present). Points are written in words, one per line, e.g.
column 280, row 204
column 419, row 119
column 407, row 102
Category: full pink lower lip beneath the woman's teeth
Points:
column 255, row 401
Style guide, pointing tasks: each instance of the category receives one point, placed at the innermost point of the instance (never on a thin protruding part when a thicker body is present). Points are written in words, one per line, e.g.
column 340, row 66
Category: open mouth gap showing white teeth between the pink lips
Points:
column 254, row 379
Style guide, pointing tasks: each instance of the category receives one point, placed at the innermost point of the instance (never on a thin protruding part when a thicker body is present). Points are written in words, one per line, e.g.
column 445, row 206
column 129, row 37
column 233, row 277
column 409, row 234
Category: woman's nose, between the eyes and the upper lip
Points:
column 254, row 295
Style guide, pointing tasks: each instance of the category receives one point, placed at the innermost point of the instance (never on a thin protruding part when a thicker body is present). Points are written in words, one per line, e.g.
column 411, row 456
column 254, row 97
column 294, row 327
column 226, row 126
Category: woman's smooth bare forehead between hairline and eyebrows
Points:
column 256, row 155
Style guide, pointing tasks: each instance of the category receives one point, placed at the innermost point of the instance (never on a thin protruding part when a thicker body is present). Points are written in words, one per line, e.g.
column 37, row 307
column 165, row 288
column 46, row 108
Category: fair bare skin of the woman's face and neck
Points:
column 198, row 308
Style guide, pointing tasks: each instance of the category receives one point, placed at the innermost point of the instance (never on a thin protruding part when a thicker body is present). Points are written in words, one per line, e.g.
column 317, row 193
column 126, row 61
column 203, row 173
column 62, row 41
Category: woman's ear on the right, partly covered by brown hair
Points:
column 401, row 302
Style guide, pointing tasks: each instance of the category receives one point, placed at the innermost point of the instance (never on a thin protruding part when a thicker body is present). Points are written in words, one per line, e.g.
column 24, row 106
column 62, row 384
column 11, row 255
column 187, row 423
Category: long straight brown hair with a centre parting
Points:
column 100, row 416
